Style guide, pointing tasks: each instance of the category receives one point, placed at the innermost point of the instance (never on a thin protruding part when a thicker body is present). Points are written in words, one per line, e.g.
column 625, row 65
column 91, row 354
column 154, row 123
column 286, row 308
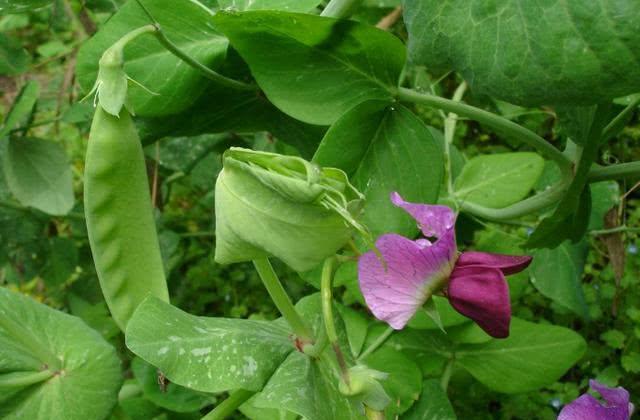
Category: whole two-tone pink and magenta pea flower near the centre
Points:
column 412, row 271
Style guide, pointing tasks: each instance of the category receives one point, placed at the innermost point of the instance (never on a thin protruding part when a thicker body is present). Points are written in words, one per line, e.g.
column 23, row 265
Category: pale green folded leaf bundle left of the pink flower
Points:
column 283, row 206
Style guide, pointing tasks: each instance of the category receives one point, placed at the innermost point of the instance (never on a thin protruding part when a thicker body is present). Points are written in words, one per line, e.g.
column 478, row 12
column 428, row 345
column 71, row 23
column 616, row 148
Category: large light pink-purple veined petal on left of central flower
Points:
column 414, row 271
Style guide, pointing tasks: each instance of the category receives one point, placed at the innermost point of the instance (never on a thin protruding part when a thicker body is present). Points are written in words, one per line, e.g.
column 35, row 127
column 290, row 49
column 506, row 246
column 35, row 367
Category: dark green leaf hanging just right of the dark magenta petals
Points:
column 557, row 274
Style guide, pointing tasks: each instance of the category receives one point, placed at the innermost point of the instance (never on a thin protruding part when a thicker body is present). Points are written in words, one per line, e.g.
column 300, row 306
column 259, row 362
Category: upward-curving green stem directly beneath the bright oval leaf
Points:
column 530, row 205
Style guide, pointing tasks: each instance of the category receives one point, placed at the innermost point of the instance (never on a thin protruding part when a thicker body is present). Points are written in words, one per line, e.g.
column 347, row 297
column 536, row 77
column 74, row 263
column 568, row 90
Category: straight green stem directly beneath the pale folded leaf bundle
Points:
column 281, row 299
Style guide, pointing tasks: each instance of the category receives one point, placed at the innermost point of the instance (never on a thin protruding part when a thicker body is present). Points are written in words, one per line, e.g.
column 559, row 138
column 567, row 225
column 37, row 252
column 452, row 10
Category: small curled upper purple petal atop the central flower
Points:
column 433, row 220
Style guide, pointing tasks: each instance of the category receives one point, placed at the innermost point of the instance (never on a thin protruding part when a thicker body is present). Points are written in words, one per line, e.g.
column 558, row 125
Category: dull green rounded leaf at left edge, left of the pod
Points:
column 39, row 175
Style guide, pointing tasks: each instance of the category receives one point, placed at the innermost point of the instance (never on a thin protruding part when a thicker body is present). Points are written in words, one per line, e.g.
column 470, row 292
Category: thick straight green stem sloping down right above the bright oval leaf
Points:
column 498, row 123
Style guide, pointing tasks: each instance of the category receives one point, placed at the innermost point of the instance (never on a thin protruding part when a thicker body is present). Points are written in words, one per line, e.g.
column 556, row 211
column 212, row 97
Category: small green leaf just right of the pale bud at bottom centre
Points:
column 404, row 382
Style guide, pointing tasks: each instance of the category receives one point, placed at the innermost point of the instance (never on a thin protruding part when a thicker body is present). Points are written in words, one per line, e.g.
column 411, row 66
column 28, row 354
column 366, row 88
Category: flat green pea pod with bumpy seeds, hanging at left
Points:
column 119, row 216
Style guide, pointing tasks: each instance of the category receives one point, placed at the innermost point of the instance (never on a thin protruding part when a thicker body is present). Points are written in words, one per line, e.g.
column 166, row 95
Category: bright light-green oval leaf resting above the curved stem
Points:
column 499, row 180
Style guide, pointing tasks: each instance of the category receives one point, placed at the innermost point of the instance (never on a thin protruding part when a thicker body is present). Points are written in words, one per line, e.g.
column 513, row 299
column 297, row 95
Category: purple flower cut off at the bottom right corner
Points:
column 586, row 407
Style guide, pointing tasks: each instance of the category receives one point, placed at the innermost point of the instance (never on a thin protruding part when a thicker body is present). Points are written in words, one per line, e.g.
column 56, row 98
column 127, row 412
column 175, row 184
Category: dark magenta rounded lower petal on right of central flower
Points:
column 482, row 294
